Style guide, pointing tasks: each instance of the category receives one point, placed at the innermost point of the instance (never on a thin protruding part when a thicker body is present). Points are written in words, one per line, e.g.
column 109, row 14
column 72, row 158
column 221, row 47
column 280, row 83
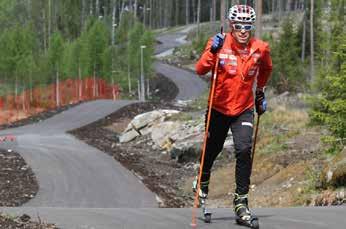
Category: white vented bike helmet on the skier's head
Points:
column 242, row 13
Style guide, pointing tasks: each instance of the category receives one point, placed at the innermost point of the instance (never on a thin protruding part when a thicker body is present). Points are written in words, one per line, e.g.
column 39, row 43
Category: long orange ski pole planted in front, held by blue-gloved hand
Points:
column 211, row 97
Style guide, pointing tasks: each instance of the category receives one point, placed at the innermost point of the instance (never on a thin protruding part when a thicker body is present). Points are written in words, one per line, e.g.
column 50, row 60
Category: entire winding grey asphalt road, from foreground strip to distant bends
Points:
column 81, row 187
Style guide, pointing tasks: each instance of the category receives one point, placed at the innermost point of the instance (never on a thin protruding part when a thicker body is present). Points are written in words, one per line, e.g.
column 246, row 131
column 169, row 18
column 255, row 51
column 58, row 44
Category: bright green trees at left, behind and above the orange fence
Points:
column 42, row 38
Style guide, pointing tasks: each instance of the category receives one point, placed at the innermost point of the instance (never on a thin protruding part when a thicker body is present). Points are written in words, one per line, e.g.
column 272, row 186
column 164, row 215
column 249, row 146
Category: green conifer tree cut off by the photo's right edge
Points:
column 329, row 101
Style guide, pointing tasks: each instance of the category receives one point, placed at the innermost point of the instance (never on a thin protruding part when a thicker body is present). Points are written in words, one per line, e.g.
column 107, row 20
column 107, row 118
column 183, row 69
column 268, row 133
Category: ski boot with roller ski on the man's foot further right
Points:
column 242, row 212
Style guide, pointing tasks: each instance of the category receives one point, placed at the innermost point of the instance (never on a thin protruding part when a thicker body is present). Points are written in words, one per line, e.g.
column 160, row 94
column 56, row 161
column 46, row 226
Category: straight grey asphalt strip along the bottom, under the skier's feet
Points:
column 153, row 218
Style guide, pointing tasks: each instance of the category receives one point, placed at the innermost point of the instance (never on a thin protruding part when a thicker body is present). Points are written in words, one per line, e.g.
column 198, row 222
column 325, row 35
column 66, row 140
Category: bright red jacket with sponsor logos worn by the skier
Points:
column 236, row 75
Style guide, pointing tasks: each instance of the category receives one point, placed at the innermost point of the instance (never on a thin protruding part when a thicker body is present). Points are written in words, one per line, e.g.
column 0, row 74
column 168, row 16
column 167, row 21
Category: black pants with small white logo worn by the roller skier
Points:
column 242, row 129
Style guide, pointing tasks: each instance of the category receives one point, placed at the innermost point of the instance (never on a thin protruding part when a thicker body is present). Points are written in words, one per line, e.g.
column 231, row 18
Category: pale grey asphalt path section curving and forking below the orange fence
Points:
column 71, row 173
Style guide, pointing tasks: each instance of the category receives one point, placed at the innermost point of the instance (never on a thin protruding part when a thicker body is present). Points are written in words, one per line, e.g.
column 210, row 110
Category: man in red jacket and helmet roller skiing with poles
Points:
column 238, row 61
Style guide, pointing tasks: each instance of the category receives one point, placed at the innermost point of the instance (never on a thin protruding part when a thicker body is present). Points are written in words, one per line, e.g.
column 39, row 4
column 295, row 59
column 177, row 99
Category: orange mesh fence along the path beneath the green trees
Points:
column 31, row 102
